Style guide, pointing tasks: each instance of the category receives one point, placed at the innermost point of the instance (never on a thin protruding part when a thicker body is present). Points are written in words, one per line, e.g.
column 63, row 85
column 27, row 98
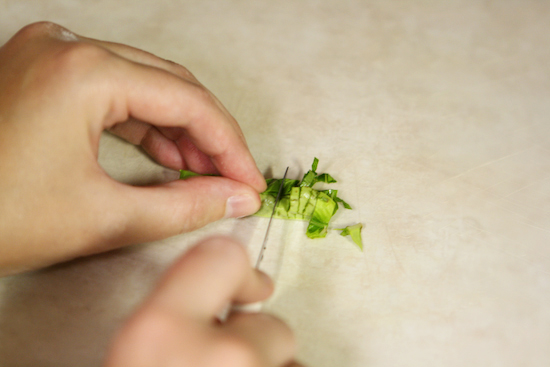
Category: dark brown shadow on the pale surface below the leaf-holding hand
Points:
column 67, row 314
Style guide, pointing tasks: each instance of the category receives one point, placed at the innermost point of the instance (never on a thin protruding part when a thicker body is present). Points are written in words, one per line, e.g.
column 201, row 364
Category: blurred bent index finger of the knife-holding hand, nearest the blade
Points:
column 208, row 277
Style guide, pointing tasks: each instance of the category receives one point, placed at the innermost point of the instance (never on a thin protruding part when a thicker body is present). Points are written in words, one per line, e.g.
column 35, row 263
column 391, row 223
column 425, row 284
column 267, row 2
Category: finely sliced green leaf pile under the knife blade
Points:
column 300, row 201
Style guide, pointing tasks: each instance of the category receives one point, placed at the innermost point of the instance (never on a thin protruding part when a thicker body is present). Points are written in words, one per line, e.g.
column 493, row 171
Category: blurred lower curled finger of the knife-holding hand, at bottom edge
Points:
column 269, row 336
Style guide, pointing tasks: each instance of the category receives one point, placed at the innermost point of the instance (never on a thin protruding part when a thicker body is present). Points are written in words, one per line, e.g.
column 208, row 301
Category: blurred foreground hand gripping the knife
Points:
column 177, row 325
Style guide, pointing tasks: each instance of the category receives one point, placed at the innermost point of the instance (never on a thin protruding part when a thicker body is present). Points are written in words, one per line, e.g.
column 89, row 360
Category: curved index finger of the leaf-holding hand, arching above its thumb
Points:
column 163, row 99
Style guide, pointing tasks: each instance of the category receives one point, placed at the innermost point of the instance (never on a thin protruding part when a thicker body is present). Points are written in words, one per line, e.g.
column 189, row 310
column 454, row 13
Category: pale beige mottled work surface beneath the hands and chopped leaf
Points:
column 432, row 115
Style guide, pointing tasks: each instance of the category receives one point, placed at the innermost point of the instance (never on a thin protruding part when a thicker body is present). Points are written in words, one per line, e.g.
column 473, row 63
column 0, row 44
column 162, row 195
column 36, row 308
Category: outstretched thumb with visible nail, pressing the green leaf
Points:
column 156, row 212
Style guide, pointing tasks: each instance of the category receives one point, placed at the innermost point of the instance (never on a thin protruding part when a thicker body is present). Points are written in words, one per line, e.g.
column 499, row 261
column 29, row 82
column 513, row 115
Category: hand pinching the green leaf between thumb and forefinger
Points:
column 58, row 92
